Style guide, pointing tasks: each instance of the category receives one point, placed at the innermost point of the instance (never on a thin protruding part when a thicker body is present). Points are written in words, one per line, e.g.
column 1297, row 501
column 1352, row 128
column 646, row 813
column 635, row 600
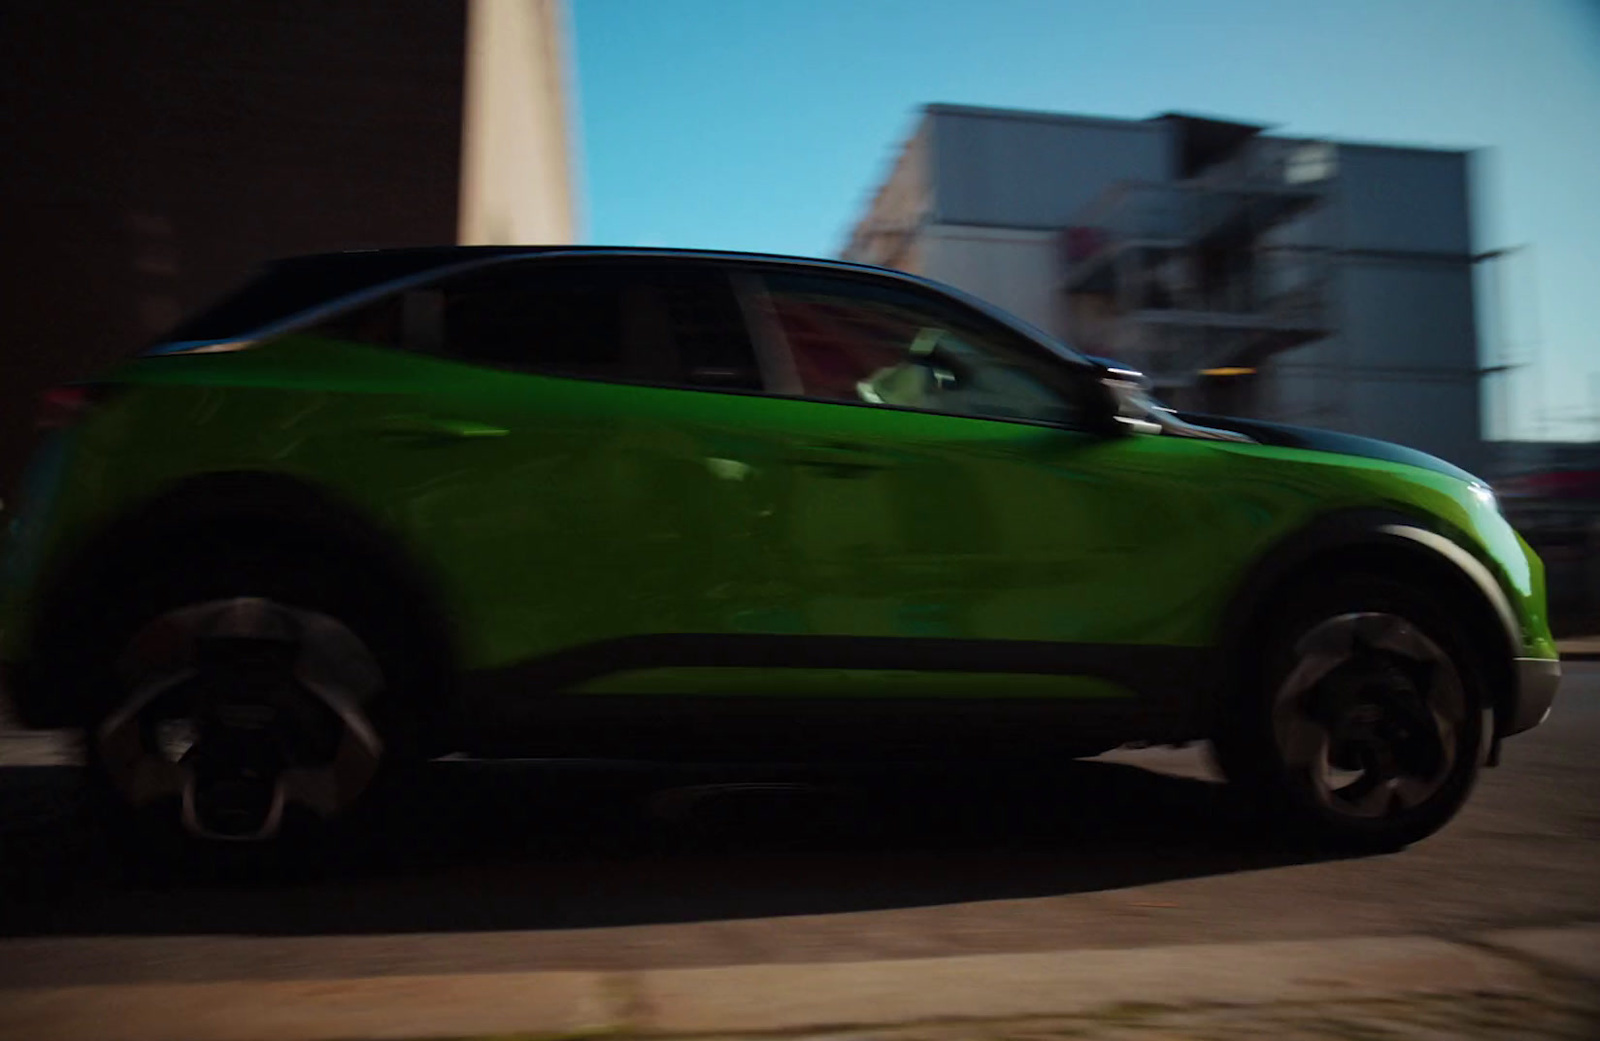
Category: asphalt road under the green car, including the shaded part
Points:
column 524, row 866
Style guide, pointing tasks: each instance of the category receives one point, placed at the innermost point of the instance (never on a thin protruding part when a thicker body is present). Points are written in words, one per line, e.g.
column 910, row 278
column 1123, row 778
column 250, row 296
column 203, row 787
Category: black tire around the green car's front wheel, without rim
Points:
column 1249, row 746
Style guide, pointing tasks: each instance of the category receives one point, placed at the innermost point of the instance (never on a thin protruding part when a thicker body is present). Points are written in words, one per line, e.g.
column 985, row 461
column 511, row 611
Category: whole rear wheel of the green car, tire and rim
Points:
column 246, row 695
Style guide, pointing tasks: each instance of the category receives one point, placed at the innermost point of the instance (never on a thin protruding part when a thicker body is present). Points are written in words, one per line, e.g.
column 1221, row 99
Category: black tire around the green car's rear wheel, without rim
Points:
column 298, row 573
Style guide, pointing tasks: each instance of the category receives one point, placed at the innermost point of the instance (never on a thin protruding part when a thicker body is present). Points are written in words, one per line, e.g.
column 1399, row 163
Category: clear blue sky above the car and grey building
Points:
column 767, row 124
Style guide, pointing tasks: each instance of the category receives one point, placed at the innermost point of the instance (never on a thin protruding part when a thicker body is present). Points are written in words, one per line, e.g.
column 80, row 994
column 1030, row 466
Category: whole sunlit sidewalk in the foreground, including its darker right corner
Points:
column 1527, row 984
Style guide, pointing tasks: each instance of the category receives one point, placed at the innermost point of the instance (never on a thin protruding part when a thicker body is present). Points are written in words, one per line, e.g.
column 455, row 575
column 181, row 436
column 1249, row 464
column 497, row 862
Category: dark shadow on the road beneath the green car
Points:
column 537, row 847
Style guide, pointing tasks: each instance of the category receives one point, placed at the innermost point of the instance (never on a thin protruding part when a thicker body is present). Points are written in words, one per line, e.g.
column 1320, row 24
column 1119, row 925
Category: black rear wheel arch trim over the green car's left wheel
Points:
column 233, row 514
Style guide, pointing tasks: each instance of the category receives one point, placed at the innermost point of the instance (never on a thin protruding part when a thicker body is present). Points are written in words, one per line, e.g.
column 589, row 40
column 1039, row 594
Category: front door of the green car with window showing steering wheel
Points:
column 951, row 509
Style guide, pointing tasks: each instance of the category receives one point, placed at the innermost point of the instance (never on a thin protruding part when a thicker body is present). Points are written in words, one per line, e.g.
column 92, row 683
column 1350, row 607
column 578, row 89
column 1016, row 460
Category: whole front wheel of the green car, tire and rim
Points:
column 1364, row 720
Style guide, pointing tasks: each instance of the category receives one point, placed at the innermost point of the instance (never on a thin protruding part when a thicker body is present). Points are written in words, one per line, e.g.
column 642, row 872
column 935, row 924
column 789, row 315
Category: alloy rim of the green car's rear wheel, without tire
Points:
column 242, row 709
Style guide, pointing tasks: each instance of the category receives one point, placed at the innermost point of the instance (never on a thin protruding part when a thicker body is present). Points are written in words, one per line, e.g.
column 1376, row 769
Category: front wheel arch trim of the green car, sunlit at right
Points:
column 1385, row 544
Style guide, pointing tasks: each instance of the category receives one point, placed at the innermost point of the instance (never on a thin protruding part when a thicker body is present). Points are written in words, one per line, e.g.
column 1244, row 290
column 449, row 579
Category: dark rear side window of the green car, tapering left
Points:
column 626, row 322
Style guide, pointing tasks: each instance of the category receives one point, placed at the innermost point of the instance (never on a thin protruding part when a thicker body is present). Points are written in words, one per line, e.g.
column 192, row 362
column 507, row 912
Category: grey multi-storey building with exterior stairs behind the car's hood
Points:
column 1313, row 282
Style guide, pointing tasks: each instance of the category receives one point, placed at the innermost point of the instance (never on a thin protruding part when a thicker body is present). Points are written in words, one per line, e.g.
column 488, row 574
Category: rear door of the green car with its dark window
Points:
column 566, row 463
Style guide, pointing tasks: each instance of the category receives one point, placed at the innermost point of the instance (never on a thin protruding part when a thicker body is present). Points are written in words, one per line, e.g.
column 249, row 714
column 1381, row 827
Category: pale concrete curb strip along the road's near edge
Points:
column 785, row 999
